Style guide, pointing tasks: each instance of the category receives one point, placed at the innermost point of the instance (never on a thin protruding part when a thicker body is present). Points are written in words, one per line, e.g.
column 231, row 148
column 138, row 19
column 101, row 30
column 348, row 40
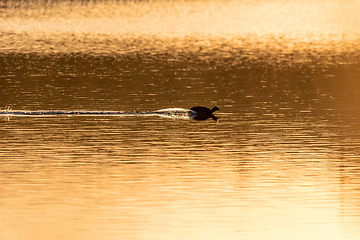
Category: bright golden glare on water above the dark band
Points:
column 107, row 26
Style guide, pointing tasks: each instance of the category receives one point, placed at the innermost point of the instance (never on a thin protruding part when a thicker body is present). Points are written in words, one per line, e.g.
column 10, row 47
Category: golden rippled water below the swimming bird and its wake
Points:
column 112, row 186
